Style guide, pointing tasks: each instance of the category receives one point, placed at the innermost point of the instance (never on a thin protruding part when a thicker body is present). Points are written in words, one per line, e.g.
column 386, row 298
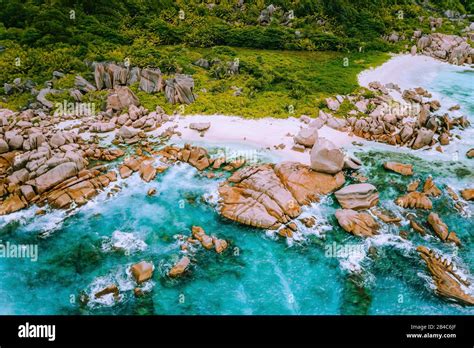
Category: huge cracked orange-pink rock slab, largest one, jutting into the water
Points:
column 268, row 196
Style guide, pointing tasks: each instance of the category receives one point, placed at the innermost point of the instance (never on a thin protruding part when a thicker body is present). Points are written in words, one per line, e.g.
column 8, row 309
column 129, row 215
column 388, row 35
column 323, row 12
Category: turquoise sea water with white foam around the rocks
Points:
column 259, row 273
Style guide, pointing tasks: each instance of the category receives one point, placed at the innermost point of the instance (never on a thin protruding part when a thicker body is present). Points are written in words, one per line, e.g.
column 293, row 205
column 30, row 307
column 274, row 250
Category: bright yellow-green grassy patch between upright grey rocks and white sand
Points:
column 274, row 83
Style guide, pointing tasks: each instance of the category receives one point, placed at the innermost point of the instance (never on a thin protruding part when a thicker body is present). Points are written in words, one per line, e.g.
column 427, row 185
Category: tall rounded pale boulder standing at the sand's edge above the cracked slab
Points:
column 326, row 157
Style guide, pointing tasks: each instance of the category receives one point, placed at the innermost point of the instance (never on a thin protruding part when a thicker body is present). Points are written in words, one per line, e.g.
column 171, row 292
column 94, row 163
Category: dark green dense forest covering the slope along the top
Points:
column 40, row 36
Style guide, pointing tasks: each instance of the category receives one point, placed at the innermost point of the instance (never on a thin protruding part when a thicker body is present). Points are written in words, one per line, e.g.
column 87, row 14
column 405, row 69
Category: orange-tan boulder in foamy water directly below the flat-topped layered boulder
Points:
column 357, row 223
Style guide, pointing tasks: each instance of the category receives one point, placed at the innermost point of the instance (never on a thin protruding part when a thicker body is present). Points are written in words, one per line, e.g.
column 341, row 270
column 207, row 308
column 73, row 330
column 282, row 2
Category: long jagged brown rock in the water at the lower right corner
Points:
column 448, row 282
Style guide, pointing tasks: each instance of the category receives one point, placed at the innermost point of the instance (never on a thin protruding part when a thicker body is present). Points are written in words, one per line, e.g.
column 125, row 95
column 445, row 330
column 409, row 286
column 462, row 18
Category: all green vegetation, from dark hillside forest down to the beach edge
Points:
column 281, row 64
